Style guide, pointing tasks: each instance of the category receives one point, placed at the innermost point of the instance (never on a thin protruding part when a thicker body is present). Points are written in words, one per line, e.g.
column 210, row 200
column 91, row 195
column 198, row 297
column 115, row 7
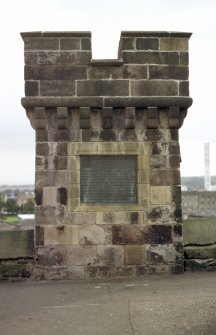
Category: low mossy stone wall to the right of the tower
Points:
column 200, row 244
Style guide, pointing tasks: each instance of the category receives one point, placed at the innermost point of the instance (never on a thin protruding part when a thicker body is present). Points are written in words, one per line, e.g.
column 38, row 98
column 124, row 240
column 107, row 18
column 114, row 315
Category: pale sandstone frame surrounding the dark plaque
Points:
column 140, row 150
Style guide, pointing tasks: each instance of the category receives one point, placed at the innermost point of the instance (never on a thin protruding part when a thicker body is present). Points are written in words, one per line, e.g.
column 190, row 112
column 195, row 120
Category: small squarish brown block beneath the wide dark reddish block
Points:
column 134, row 254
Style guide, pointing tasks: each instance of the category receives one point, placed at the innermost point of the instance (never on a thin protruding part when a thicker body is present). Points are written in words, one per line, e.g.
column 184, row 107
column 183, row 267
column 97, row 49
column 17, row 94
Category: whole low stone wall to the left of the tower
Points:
column 16, row 254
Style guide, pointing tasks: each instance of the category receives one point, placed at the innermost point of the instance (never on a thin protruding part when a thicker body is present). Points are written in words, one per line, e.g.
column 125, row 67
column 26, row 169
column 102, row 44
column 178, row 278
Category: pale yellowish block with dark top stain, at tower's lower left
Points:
column 60, row 235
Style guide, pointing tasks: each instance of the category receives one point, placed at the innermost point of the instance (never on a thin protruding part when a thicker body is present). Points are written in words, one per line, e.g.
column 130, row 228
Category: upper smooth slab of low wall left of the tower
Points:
column 16, row 244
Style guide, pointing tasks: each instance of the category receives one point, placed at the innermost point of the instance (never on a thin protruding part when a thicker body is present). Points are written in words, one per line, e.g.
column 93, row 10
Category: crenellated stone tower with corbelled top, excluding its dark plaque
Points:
column 133, row 105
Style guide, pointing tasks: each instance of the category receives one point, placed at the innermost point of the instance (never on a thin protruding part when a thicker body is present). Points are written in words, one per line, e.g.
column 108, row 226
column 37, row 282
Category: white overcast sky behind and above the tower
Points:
column 106, row 19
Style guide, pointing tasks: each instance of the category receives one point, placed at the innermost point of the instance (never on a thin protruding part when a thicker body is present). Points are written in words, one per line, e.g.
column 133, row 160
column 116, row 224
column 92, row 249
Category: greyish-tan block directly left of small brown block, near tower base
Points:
column 110, row 255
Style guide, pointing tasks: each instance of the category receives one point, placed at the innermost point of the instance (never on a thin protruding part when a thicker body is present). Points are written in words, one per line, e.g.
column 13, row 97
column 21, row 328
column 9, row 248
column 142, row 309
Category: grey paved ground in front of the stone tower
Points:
column 183, row 304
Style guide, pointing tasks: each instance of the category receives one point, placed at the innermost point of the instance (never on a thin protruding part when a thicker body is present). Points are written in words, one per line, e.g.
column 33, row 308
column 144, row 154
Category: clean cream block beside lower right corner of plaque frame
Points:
column 161, row 195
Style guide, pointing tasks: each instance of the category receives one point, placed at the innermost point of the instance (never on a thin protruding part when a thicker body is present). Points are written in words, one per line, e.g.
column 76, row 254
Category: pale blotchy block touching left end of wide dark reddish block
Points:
column 94, row 234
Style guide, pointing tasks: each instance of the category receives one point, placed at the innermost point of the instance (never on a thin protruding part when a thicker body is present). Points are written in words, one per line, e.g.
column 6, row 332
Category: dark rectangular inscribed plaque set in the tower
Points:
column 108, row 179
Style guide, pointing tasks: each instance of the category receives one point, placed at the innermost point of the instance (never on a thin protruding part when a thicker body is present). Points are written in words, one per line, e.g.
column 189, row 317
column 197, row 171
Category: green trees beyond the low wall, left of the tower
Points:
column 10, row 206
